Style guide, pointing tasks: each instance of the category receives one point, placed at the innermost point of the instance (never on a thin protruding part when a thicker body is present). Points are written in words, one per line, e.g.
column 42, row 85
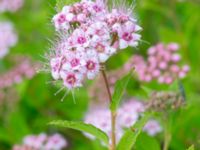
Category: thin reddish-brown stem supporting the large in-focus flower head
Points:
column 113, row 114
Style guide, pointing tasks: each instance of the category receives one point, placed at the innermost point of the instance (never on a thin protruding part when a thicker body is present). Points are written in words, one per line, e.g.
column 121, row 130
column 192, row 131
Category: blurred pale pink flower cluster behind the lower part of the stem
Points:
column 127, row 115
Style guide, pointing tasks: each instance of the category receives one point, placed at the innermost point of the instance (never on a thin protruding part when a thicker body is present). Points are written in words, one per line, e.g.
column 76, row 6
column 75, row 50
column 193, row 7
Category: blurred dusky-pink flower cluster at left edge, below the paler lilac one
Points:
column 23, row 69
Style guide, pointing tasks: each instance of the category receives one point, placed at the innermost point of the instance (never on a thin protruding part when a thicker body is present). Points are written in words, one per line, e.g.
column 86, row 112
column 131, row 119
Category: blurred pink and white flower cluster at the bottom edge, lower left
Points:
column 42, row 141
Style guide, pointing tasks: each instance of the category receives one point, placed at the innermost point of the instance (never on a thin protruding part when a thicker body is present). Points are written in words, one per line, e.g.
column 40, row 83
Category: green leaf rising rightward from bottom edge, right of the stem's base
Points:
column 130, row 136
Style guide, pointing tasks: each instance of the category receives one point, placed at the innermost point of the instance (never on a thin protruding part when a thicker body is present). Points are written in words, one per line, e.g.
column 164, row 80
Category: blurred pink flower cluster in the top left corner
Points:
column 10, row 5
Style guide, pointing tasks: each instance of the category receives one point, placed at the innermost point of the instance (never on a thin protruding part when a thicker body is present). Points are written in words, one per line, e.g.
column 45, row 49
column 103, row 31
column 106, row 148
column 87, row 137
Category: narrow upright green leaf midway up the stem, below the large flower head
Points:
column 120, row 87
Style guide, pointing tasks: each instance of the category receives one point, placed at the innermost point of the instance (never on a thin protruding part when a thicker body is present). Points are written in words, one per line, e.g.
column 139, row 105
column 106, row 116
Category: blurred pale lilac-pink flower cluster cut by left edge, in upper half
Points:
column 8, row 38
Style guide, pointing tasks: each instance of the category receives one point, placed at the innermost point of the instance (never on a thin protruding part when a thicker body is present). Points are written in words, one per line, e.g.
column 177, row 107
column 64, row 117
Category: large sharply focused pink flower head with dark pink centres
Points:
column 90, row 35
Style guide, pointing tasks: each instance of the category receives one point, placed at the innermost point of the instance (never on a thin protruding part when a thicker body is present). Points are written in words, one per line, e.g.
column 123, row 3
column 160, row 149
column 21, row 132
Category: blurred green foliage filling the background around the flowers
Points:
column 162, row 21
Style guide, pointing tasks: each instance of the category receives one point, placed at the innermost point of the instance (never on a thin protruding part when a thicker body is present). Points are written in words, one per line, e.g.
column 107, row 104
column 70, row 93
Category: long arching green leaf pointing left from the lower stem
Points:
column 80, row 126
